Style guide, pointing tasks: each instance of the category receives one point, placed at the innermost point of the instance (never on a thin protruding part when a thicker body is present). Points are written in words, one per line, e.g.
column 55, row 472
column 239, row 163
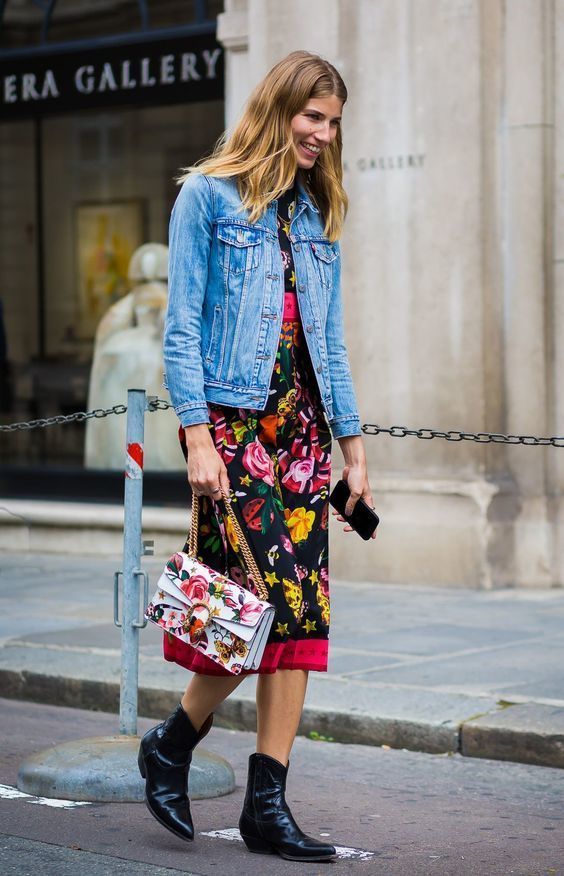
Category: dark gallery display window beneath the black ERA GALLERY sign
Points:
column 107, row 186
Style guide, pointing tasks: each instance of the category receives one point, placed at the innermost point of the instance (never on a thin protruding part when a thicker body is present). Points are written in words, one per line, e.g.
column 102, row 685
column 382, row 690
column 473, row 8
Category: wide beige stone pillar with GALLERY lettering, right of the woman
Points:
column 414, row 282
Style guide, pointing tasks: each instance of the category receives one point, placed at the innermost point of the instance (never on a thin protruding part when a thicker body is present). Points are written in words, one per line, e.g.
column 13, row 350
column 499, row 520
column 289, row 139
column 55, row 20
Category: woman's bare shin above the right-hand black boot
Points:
column 280, row 700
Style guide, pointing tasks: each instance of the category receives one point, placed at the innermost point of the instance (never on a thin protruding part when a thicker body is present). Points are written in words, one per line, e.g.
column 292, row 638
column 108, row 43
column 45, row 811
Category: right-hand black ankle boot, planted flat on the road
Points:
column 266, row 823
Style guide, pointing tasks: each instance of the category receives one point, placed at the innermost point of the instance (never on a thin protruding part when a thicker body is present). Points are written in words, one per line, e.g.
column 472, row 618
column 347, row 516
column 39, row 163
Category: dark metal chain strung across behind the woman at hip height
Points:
column 158, row 404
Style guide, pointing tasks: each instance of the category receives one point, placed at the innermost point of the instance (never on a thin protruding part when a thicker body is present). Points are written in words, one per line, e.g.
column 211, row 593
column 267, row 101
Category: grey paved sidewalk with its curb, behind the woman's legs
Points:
column 435, row 670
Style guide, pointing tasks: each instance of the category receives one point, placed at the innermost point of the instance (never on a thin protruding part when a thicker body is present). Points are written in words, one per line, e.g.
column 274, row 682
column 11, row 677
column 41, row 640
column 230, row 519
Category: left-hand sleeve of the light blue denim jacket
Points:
column 190, row 237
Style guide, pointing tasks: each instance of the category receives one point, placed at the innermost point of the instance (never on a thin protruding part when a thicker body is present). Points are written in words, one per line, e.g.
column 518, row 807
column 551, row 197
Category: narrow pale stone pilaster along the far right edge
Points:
column 526, row 124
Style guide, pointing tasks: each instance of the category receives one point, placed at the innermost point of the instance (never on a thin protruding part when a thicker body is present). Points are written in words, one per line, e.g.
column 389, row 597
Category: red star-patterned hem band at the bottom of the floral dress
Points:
column 309, row 654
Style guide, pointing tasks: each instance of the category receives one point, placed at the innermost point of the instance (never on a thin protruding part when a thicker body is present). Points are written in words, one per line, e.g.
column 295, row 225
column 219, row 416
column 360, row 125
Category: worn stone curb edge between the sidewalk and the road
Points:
column 529, row 733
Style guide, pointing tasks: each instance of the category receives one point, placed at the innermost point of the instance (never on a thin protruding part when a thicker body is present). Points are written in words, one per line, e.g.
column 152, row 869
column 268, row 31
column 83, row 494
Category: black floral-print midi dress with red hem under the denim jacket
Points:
column 279, row 466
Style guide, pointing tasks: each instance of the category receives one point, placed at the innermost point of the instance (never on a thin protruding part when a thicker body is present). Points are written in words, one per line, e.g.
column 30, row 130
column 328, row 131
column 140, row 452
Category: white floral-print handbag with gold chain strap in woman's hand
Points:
column 218, row 617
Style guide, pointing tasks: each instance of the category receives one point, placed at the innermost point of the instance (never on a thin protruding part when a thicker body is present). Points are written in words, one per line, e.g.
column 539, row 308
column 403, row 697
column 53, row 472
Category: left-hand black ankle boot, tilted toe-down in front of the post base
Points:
column 165, row 755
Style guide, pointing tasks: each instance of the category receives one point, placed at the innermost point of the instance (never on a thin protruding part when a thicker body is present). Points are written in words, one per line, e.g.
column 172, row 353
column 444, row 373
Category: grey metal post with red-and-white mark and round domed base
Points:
column 105, row 768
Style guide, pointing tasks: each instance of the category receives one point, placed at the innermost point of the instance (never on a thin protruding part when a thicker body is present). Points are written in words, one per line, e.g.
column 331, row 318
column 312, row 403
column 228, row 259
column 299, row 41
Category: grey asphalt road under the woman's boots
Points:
column 415, row 813
